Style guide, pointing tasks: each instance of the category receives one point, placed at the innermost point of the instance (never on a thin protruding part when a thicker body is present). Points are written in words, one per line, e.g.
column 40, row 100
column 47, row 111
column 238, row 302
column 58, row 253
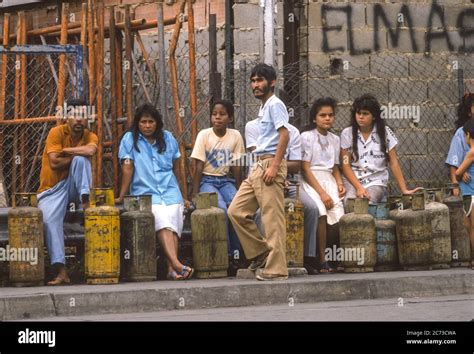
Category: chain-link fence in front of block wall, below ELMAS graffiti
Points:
column 419, row 96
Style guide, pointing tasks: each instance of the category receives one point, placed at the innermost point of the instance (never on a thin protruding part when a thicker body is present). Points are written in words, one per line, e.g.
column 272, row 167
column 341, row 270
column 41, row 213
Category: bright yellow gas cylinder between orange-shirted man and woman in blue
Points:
column 102, row 238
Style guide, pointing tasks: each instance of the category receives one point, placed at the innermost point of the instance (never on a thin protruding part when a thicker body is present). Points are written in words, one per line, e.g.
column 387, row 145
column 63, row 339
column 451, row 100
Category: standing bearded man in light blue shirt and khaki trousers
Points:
column 264, row 187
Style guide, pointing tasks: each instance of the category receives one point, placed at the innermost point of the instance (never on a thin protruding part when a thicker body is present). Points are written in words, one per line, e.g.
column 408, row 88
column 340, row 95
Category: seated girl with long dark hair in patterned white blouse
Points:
column 367, row 149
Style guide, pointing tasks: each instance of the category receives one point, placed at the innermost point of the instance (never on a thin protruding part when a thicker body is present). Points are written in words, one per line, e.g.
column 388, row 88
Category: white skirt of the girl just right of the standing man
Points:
column 329, row 184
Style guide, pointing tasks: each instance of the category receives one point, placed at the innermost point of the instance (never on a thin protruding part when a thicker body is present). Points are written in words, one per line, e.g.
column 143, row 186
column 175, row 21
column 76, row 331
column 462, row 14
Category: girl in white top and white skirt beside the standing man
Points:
column 320, row 169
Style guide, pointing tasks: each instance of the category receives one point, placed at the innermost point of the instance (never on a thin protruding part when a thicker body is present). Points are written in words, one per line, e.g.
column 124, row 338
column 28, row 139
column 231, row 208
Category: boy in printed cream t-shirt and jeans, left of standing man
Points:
column 214, row 151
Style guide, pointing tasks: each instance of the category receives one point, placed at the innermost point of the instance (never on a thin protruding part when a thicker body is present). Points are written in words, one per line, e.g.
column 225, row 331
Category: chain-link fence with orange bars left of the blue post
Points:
column 30, row 93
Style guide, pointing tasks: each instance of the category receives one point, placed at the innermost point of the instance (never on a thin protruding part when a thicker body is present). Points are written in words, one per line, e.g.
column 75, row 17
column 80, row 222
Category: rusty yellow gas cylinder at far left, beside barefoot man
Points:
column 25, row 251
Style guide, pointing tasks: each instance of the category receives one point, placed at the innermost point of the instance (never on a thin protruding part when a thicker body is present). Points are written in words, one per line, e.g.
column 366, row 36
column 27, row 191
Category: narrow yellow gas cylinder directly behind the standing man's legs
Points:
column 294, row 215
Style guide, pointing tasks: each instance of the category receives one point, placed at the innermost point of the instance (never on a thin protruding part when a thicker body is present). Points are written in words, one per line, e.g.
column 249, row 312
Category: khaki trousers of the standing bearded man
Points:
column 254, row 194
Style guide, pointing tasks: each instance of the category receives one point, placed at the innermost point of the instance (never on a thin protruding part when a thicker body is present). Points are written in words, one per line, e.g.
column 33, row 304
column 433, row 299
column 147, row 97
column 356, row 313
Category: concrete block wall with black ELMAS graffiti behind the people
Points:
column 405, row 53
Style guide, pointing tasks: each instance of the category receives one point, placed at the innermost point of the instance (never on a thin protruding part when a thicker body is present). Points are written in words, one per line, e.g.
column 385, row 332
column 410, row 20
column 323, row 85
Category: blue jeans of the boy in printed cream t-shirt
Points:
column 225, row 189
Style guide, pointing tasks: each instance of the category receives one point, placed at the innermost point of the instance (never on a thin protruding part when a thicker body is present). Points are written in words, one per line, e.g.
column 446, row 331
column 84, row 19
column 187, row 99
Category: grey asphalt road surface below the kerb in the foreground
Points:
column 445, row 308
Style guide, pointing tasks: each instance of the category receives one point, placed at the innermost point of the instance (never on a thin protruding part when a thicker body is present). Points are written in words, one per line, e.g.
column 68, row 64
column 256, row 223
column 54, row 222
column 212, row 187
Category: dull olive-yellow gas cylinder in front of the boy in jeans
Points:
column 209, row 234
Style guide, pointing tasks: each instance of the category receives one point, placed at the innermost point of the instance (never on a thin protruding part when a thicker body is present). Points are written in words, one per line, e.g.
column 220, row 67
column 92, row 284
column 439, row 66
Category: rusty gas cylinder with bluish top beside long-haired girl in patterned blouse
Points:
column 386, row 238
